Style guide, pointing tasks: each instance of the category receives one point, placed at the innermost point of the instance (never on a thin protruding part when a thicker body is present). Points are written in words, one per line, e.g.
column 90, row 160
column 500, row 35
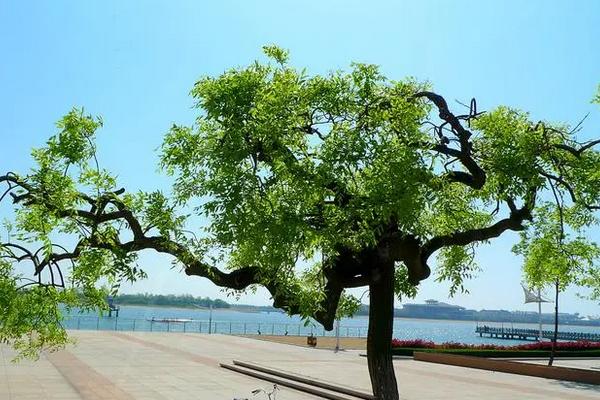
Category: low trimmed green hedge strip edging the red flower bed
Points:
column 403, row 351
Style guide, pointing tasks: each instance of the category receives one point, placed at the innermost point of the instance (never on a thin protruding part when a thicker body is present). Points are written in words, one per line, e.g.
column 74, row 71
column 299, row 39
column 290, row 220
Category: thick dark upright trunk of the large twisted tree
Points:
column 379, row 339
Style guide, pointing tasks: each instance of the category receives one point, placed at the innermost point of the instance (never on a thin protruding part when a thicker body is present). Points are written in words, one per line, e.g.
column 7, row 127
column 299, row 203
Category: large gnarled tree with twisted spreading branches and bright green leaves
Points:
column 357, row 179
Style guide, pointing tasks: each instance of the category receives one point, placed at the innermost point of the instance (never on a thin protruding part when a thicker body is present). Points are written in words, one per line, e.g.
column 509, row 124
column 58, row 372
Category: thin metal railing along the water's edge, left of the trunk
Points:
column 198, row 326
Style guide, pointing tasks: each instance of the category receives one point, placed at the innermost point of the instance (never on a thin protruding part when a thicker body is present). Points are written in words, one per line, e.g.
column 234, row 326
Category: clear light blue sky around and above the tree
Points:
column 134, row 62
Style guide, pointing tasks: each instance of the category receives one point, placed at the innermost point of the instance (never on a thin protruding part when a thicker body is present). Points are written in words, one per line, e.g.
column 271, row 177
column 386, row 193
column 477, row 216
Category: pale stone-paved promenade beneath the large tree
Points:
column 124, row 366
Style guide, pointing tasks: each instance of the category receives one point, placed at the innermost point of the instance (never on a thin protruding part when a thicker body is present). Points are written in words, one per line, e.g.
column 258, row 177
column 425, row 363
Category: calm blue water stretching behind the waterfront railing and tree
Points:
column 138, row 319
